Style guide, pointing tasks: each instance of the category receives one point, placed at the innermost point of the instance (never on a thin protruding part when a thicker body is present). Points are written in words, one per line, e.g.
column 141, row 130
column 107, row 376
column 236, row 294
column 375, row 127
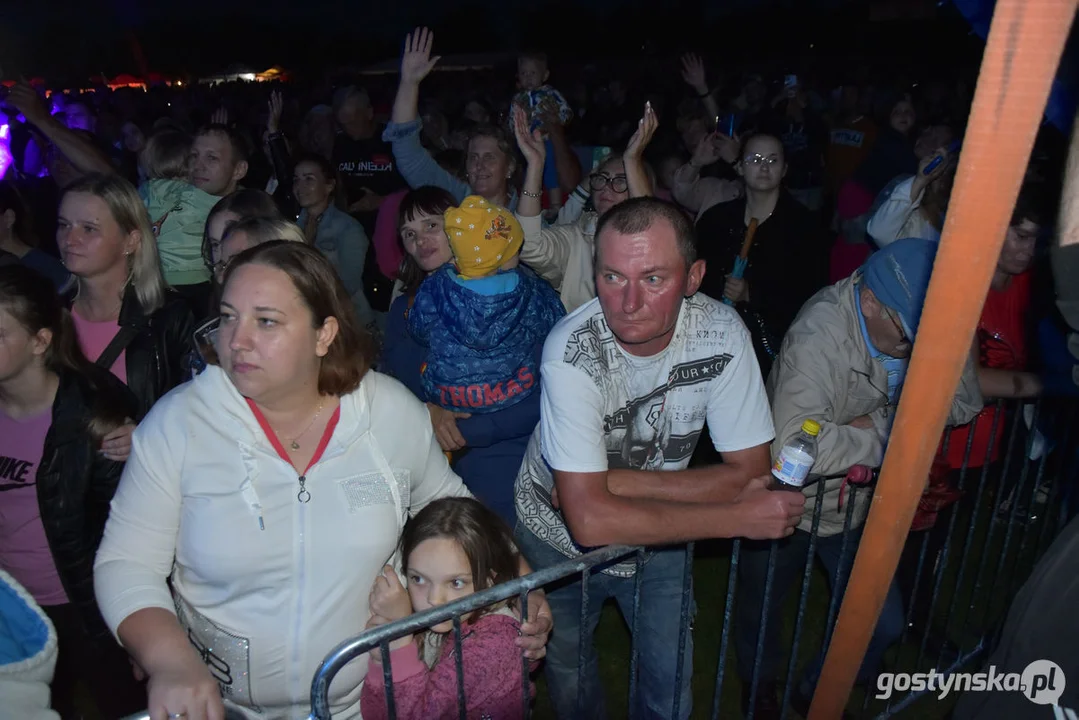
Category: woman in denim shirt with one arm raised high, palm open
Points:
column 490, row 162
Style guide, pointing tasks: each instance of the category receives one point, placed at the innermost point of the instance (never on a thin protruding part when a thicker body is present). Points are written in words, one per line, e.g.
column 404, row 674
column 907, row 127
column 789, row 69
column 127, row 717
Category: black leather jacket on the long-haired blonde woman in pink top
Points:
column 158, row 355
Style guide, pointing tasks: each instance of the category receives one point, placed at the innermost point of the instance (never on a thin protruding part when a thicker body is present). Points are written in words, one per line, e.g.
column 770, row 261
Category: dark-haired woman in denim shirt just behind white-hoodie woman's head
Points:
column 336, row 234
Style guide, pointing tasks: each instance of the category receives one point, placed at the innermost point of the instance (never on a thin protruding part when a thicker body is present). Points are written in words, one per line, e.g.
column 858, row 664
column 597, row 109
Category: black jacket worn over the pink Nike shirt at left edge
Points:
column 76, row 485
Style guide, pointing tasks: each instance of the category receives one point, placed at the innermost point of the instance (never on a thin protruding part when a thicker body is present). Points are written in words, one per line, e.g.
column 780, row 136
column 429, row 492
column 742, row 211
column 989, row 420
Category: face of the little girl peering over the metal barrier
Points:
column 439, row 573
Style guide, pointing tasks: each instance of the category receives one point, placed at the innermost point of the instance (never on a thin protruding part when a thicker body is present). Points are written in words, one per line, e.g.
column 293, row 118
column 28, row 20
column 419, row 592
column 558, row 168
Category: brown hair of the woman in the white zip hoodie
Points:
column 352, row 352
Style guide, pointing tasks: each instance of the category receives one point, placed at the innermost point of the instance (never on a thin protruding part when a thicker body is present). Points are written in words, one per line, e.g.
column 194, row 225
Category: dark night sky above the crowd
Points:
column 77, row 38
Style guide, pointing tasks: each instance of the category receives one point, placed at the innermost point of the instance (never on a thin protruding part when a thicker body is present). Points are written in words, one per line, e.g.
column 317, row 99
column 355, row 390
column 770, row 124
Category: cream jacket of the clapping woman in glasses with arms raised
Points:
column 563, row 255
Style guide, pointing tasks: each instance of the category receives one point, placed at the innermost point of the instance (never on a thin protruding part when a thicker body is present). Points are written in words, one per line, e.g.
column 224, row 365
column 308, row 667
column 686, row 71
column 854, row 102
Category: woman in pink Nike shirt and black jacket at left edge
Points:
column 57, row 484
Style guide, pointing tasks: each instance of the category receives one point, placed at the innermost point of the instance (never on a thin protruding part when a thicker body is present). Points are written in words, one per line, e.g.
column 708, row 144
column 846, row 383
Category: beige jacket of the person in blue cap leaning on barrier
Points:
column 825, row 373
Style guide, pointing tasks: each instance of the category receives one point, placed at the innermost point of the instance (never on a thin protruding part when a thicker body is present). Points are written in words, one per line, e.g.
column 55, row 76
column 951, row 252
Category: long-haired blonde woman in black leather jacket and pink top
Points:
column 128, row 320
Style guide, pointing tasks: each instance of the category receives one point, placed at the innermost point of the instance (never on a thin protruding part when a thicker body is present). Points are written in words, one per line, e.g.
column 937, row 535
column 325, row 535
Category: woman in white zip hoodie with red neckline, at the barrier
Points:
column 272, row 490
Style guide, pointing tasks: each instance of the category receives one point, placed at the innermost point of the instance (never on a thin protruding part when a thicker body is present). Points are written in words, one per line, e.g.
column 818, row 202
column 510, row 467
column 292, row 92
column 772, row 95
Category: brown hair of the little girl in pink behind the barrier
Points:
column 484, row 537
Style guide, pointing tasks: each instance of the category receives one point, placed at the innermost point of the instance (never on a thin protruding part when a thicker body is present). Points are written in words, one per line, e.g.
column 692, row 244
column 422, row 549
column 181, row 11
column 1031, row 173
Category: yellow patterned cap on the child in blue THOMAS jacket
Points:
column 483, row 237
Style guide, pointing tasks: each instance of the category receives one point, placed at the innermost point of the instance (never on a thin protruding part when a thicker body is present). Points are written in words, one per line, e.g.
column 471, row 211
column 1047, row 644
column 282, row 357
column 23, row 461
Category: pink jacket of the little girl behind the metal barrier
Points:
column 493, row 673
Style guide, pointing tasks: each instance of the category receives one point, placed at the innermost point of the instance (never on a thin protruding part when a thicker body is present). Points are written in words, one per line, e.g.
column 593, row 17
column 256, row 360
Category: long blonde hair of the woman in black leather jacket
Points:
column 127, row 208
